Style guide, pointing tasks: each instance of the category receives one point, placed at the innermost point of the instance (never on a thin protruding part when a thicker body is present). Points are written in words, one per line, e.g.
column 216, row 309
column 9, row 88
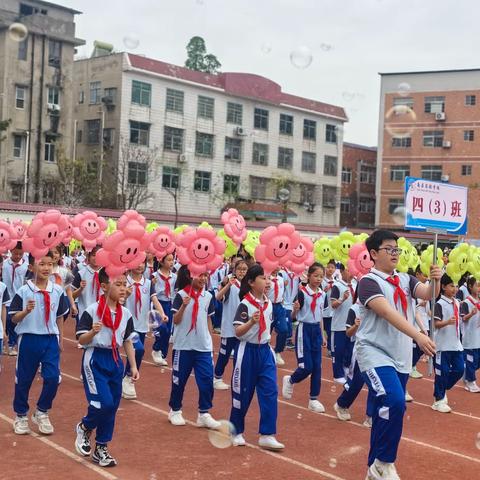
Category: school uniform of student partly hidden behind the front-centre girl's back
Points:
column 228, row 341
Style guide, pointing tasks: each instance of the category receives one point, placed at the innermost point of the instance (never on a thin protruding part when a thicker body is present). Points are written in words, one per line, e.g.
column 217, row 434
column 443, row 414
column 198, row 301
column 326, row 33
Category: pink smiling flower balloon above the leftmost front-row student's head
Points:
column 45, row 232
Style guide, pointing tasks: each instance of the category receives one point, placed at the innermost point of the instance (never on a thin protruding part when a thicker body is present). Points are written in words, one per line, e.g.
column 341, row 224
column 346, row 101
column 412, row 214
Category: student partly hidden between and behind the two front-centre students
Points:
column 229, row 295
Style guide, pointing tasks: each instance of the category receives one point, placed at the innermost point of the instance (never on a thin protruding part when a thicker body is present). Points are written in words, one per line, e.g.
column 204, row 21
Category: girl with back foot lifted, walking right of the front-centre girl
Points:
column 308, row 309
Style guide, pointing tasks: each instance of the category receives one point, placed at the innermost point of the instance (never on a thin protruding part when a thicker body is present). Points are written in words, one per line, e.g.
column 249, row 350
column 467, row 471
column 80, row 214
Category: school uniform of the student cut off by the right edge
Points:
column 471, row 338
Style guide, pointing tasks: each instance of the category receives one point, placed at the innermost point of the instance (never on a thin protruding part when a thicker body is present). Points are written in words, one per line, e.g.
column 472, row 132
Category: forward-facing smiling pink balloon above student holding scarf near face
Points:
column 201, row 250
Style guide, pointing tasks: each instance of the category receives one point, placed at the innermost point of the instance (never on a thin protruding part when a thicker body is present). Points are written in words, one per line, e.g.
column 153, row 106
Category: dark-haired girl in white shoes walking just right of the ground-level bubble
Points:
column 254, row 361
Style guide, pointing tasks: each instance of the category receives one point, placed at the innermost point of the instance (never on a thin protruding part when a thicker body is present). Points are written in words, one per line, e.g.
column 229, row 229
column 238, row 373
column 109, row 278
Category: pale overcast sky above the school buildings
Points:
column 350, row 41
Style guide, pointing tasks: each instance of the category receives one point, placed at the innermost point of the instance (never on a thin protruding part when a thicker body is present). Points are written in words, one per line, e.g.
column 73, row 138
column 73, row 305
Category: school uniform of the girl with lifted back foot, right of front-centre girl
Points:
column 308, row 341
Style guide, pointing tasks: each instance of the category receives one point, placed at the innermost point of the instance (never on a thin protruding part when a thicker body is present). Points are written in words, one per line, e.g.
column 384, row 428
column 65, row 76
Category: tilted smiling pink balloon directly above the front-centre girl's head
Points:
column 276, row 244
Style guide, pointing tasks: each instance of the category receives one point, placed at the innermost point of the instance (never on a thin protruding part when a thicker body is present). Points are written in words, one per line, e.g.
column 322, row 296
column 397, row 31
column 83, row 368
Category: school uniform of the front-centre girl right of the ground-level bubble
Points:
column 255, row 368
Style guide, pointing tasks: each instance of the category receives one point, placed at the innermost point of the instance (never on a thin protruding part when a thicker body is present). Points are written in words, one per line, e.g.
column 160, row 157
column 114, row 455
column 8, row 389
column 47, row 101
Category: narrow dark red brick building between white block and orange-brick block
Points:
column 357, row 207
